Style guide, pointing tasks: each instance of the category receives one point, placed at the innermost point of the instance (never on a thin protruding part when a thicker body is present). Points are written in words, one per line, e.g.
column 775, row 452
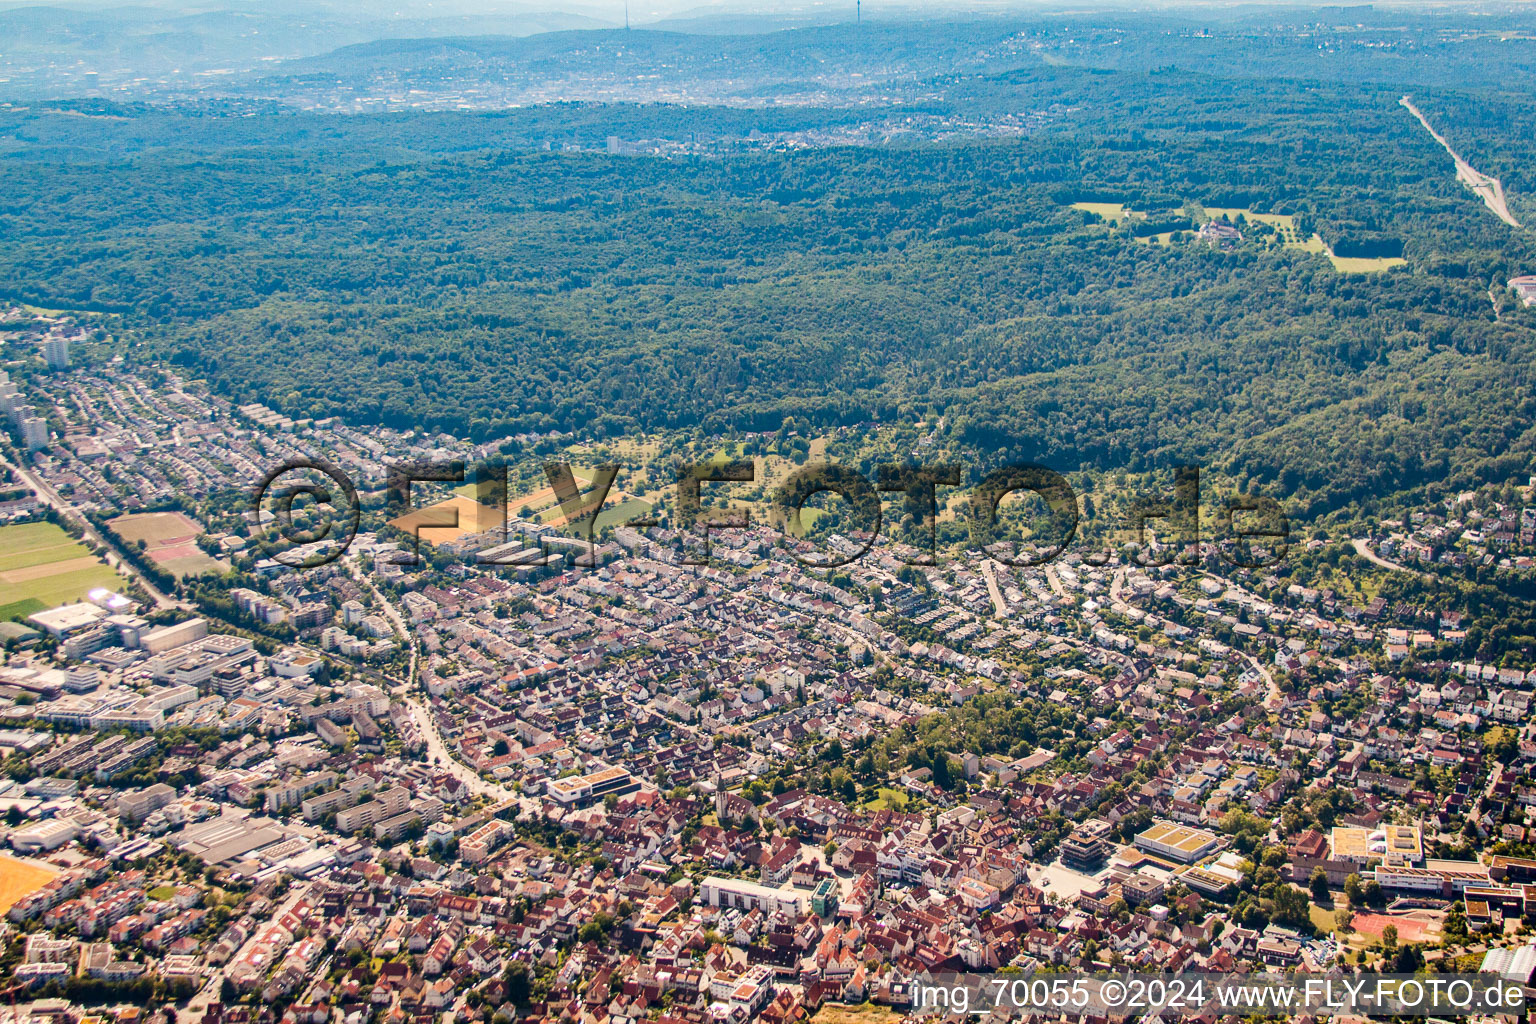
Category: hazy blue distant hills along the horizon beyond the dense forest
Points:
column 909, row 59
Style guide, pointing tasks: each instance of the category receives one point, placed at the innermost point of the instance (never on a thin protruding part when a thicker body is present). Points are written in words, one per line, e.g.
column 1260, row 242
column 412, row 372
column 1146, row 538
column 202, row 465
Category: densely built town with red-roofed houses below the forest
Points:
column 604, row 782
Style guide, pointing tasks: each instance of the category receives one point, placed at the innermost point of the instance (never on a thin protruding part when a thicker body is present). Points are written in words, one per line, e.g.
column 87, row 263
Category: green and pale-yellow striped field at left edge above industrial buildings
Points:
column 42, row 567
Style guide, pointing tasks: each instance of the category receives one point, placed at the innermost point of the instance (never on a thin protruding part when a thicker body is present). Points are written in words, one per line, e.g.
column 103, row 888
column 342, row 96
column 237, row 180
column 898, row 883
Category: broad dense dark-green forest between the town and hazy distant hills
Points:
column 443, row 271
